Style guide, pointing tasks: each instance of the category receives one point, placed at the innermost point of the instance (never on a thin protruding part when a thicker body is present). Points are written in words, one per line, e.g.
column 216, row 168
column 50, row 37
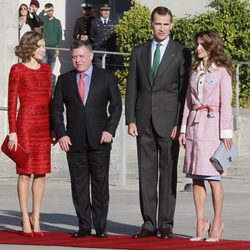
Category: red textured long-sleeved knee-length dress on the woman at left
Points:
column 32, row 122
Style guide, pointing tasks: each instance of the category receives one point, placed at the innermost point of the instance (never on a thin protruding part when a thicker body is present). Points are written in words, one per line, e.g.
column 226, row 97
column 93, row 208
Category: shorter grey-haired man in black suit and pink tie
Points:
column 93, row 109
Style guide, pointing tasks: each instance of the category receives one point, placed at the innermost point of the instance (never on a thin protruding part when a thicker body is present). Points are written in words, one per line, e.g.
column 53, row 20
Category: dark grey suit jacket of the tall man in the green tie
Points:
column 162, row 99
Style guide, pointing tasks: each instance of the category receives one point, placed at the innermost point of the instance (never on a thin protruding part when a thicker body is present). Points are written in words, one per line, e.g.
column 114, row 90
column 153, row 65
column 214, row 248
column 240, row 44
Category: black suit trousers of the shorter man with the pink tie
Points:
column 85, row 166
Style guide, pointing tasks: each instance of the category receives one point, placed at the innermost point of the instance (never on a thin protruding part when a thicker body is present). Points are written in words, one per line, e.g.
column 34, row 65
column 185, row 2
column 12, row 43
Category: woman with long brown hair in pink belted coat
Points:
column 207, row 122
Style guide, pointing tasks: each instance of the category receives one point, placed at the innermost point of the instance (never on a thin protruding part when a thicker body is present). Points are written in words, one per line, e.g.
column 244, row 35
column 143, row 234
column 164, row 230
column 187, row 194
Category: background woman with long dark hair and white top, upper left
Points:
column 23, row 23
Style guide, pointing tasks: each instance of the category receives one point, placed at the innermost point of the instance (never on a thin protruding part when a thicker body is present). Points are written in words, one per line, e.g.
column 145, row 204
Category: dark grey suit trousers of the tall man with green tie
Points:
column 155, row 154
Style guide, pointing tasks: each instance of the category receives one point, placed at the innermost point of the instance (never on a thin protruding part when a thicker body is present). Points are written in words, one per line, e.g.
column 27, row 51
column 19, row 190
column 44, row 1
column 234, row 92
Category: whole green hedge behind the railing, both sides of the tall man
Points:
column 230, row 18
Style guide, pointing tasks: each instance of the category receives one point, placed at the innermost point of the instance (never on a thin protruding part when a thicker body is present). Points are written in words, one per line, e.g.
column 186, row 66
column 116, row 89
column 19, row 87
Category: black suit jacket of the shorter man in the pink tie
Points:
column 101, row 112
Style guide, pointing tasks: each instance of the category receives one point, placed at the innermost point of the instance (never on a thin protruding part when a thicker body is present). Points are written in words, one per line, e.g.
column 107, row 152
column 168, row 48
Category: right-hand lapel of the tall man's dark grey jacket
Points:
column 167, row 58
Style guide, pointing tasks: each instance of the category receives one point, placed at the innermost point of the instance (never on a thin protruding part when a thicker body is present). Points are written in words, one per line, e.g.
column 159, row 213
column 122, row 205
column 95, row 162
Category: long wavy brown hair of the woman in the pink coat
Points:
column 212, row 43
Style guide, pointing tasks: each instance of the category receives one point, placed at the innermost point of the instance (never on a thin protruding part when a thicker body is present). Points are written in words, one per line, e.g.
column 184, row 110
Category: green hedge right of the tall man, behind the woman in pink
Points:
column 231, row 19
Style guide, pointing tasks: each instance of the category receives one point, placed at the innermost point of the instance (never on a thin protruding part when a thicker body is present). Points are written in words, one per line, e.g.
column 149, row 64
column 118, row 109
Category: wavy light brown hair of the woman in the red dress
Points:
column 28, row 45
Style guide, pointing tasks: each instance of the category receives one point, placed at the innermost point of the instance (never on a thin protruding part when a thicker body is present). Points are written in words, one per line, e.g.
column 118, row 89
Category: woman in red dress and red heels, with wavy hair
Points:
column 30, row 84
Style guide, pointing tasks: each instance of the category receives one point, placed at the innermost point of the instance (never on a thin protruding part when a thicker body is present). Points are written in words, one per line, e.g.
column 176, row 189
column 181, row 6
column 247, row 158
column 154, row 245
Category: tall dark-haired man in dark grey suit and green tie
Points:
column 156, row 89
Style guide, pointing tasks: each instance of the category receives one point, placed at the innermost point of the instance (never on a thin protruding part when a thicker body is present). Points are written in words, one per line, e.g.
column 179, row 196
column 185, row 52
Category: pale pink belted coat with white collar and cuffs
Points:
column 203, row 132
